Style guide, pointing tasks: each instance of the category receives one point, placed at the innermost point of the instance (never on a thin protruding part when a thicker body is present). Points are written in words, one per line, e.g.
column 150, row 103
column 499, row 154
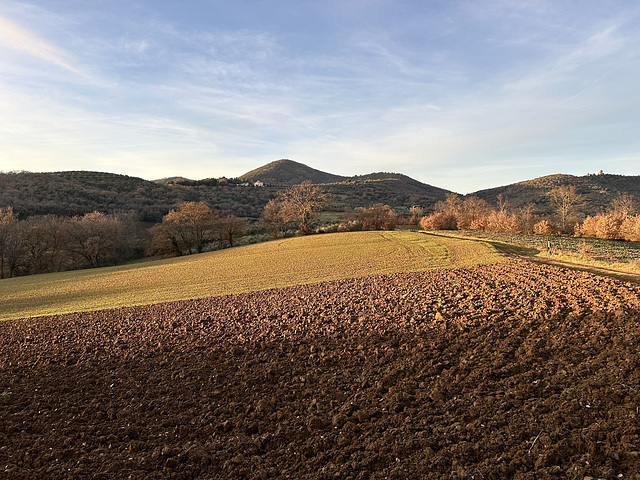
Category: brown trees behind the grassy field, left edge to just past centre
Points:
column 53, row 243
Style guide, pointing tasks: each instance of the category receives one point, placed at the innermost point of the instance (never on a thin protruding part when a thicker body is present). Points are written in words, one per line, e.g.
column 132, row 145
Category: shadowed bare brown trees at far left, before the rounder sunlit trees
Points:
column 50, row 243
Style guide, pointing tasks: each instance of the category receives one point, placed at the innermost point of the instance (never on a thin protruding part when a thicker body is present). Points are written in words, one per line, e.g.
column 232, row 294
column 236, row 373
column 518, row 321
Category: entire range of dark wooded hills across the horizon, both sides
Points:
column 79, row 192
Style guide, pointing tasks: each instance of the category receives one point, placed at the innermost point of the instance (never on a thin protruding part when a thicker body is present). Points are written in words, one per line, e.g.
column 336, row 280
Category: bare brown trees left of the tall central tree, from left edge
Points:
column 51, row 243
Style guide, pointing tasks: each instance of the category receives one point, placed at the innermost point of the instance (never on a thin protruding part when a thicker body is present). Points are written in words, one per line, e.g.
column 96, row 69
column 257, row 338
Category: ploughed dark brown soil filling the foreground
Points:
column 513, row 370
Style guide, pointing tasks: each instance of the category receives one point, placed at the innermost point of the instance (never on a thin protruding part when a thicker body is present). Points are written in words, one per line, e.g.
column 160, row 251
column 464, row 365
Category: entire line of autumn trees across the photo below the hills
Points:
column 51, row 243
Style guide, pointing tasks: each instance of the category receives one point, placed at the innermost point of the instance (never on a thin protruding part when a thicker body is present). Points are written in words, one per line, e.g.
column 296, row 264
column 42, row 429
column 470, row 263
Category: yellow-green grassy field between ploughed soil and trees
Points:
column 273, row 264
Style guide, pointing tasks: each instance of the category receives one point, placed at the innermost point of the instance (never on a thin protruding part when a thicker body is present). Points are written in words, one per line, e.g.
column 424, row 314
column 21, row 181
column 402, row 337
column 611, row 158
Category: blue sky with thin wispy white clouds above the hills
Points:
column 463, row 95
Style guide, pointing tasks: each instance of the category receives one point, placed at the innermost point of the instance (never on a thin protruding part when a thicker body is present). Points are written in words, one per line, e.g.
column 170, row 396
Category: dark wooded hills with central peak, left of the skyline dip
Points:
column 79, row 192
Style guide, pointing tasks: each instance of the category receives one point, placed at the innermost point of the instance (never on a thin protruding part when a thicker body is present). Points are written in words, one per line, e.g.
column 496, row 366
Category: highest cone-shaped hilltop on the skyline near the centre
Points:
column 287, row 172
